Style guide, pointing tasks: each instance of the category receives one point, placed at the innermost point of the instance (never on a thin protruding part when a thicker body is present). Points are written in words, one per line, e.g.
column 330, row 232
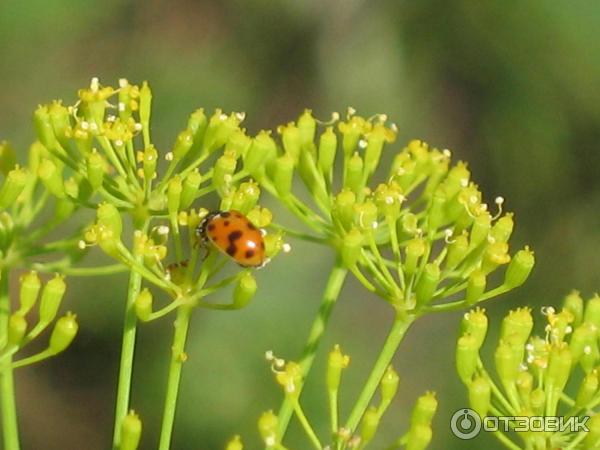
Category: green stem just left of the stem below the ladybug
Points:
column 127, row 352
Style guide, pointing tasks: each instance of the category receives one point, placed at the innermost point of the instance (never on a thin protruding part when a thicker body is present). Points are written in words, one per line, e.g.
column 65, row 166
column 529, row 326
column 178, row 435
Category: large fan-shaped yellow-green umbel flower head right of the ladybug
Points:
column 421, row 235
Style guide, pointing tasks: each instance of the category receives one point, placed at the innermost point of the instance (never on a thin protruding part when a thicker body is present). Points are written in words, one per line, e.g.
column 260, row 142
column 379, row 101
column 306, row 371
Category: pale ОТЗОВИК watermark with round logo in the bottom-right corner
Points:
column 466, row 424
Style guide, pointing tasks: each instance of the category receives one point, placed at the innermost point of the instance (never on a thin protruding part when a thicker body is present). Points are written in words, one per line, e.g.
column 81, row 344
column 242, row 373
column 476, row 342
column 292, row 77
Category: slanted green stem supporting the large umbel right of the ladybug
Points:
column 401, row 324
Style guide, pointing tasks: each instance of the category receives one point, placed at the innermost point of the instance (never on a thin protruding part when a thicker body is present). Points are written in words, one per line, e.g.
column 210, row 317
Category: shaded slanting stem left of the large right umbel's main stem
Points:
column 330, row 295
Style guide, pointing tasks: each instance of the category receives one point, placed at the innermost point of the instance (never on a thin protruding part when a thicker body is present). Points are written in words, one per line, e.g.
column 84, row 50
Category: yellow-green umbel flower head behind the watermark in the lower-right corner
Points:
column 552, row 375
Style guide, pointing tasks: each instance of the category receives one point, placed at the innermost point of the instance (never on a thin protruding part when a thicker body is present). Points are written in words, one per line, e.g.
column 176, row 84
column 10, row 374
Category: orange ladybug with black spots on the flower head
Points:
column 233, row 234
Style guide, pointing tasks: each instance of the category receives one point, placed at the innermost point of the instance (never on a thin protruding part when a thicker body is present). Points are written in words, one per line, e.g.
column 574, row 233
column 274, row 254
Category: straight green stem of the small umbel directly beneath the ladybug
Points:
column 177, row 359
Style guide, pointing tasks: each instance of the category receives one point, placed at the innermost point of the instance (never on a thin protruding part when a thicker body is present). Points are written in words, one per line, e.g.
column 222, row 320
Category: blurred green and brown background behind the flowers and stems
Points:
column 511, row 87
